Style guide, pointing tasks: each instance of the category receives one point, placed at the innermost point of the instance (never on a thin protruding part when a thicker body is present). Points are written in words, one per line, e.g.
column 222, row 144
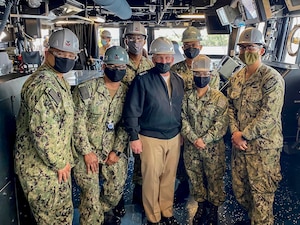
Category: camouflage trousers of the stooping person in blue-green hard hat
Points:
column 94, row 201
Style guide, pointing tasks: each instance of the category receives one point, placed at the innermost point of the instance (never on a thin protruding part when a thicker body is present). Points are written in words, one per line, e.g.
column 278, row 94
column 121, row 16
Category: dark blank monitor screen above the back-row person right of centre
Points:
column 214, row 25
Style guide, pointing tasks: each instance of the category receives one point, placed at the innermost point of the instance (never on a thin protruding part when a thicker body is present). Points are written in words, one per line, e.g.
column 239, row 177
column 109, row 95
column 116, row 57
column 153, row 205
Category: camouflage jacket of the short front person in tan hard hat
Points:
column 204, row 117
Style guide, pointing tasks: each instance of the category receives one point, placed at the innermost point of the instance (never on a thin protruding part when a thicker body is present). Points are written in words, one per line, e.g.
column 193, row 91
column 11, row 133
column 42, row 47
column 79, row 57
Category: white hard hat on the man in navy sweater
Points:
column 162, row 45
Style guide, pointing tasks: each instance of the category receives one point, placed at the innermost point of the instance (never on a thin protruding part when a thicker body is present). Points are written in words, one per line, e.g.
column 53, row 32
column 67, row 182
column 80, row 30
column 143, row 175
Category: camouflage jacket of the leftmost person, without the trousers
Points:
column 44, row 124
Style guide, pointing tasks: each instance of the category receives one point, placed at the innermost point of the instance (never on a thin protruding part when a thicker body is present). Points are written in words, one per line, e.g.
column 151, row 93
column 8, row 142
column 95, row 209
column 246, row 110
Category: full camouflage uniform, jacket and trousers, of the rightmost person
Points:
column 255, row 109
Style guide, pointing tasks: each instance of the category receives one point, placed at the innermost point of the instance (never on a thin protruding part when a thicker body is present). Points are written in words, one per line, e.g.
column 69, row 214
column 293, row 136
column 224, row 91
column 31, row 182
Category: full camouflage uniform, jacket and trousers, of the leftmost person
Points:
column 43, row 146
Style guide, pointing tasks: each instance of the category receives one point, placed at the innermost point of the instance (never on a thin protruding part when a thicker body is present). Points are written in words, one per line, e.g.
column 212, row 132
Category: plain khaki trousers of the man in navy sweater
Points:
column 159, row 164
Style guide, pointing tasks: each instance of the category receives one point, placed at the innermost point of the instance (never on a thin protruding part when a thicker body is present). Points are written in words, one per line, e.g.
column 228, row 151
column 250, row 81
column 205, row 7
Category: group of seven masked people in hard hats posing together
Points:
column 164, row 114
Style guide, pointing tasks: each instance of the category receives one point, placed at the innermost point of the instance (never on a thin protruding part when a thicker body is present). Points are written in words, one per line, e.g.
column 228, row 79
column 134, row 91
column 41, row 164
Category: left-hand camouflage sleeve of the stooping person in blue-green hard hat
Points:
column 81, row 140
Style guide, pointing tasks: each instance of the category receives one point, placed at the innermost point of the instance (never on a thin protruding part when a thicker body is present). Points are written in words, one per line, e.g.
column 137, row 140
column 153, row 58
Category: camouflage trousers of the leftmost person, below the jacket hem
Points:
column 49, row 201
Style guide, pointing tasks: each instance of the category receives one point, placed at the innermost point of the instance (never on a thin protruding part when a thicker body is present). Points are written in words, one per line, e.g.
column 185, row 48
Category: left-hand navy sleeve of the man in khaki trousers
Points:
column 133, row 108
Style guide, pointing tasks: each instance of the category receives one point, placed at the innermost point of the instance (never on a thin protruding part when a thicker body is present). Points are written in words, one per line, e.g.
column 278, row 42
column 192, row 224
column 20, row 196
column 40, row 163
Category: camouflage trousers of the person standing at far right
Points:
column 255, row 178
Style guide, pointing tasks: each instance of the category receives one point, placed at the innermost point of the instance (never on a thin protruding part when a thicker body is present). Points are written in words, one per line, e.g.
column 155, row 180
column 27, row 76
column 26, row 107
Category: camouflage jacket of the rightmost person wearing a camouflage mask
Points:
column 255, row 106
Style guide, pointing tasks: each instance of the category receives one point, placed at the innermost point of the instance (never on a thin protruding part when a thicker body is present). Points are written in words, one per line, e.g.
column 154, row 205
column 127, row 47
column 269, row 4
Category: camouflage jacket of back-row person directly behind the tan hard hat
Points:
column 187, row 75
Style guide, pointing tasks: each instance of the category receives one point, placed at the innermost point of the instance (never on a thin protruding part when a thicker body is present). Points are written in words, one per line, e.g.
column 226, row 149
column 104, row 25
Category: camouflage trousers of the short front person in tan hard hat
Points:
column 206, row 169
